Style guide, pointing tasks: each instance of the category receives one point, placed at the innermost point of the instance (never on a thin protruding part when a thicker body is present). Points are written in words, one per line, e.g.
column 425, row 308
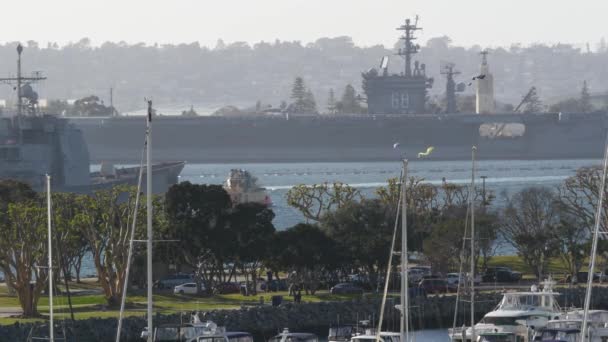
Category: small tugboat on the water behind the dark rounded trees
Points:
column 243, row 188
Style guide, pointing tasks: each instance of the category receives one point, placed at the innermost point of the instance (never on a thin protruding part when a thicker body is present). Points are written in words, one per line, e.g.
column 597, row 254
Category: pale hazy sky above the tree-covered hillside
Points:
column 467, row 22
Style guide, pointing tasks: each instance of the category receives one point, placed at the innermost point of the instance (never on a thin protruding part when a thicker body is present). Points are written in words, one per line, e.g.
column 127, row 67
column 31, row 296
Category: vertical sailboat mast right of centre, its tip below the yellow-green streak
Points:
column 404, row 326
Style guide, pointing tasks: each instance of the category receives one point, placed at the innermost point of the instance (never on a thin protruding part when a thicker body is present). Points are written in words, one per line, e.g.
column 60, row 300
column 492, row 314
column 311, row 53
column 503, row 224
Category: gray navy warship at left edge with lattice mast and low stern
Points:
column 33, row 144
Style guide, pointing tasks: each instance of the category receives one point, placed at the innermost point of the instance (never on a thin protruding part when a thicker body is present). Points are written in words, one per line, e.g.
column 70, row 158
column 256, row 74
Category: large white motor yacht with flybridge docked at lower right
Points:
column 516, row 318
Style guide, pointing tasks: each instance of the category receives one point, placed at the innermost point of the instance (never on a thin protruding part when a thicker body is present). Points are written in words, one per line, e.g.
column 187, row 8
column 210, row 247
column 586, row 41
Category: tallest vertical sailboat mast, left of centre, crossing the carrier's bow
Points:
column 149, row 217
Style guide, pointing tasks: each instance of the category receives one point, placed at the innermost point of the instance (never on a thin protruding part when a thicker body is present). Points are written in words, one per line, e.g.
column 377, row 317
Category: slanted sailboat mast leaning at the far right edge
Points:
column 596, row 232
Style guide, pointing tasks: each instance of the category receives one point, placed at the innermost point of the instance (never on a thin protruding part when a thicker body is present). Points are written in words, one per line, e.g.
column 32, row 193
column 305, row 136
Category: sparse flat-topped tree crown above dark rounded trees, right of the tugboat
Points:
column 318, row 199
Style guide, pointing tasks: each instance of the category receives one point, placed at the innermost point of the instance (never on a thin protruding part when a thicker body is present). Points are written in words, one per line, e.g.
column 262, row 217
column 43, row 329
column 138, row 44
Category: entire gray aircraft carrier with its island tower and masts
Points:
column 397, row 113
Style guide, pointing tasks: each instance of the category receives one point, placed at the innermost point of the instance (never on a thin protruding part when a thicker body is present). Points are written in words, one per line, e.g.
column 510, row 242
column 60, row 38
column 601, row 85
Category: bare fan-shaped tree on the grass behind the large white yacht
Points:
column 528, row 222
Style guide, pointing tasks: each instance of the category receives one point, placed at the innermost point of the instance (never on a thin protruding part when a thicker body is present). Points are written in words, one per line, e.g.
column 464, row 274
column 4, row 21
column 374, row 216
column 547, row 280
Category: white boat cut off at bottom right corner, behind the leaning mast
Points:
column 568, row 327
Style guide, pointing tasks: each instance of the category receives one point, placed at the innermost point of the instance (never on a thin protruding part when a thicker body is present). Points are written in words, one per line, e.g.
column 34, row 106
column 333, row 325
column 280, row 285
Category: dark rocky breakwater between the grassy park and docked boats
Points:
column 265, row 320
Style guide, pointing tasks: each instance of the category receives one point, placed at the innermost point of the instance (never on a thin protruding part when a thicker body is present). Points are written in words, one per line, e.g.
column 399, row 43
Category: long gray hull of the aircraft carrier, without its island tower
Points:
column 344, row 138
